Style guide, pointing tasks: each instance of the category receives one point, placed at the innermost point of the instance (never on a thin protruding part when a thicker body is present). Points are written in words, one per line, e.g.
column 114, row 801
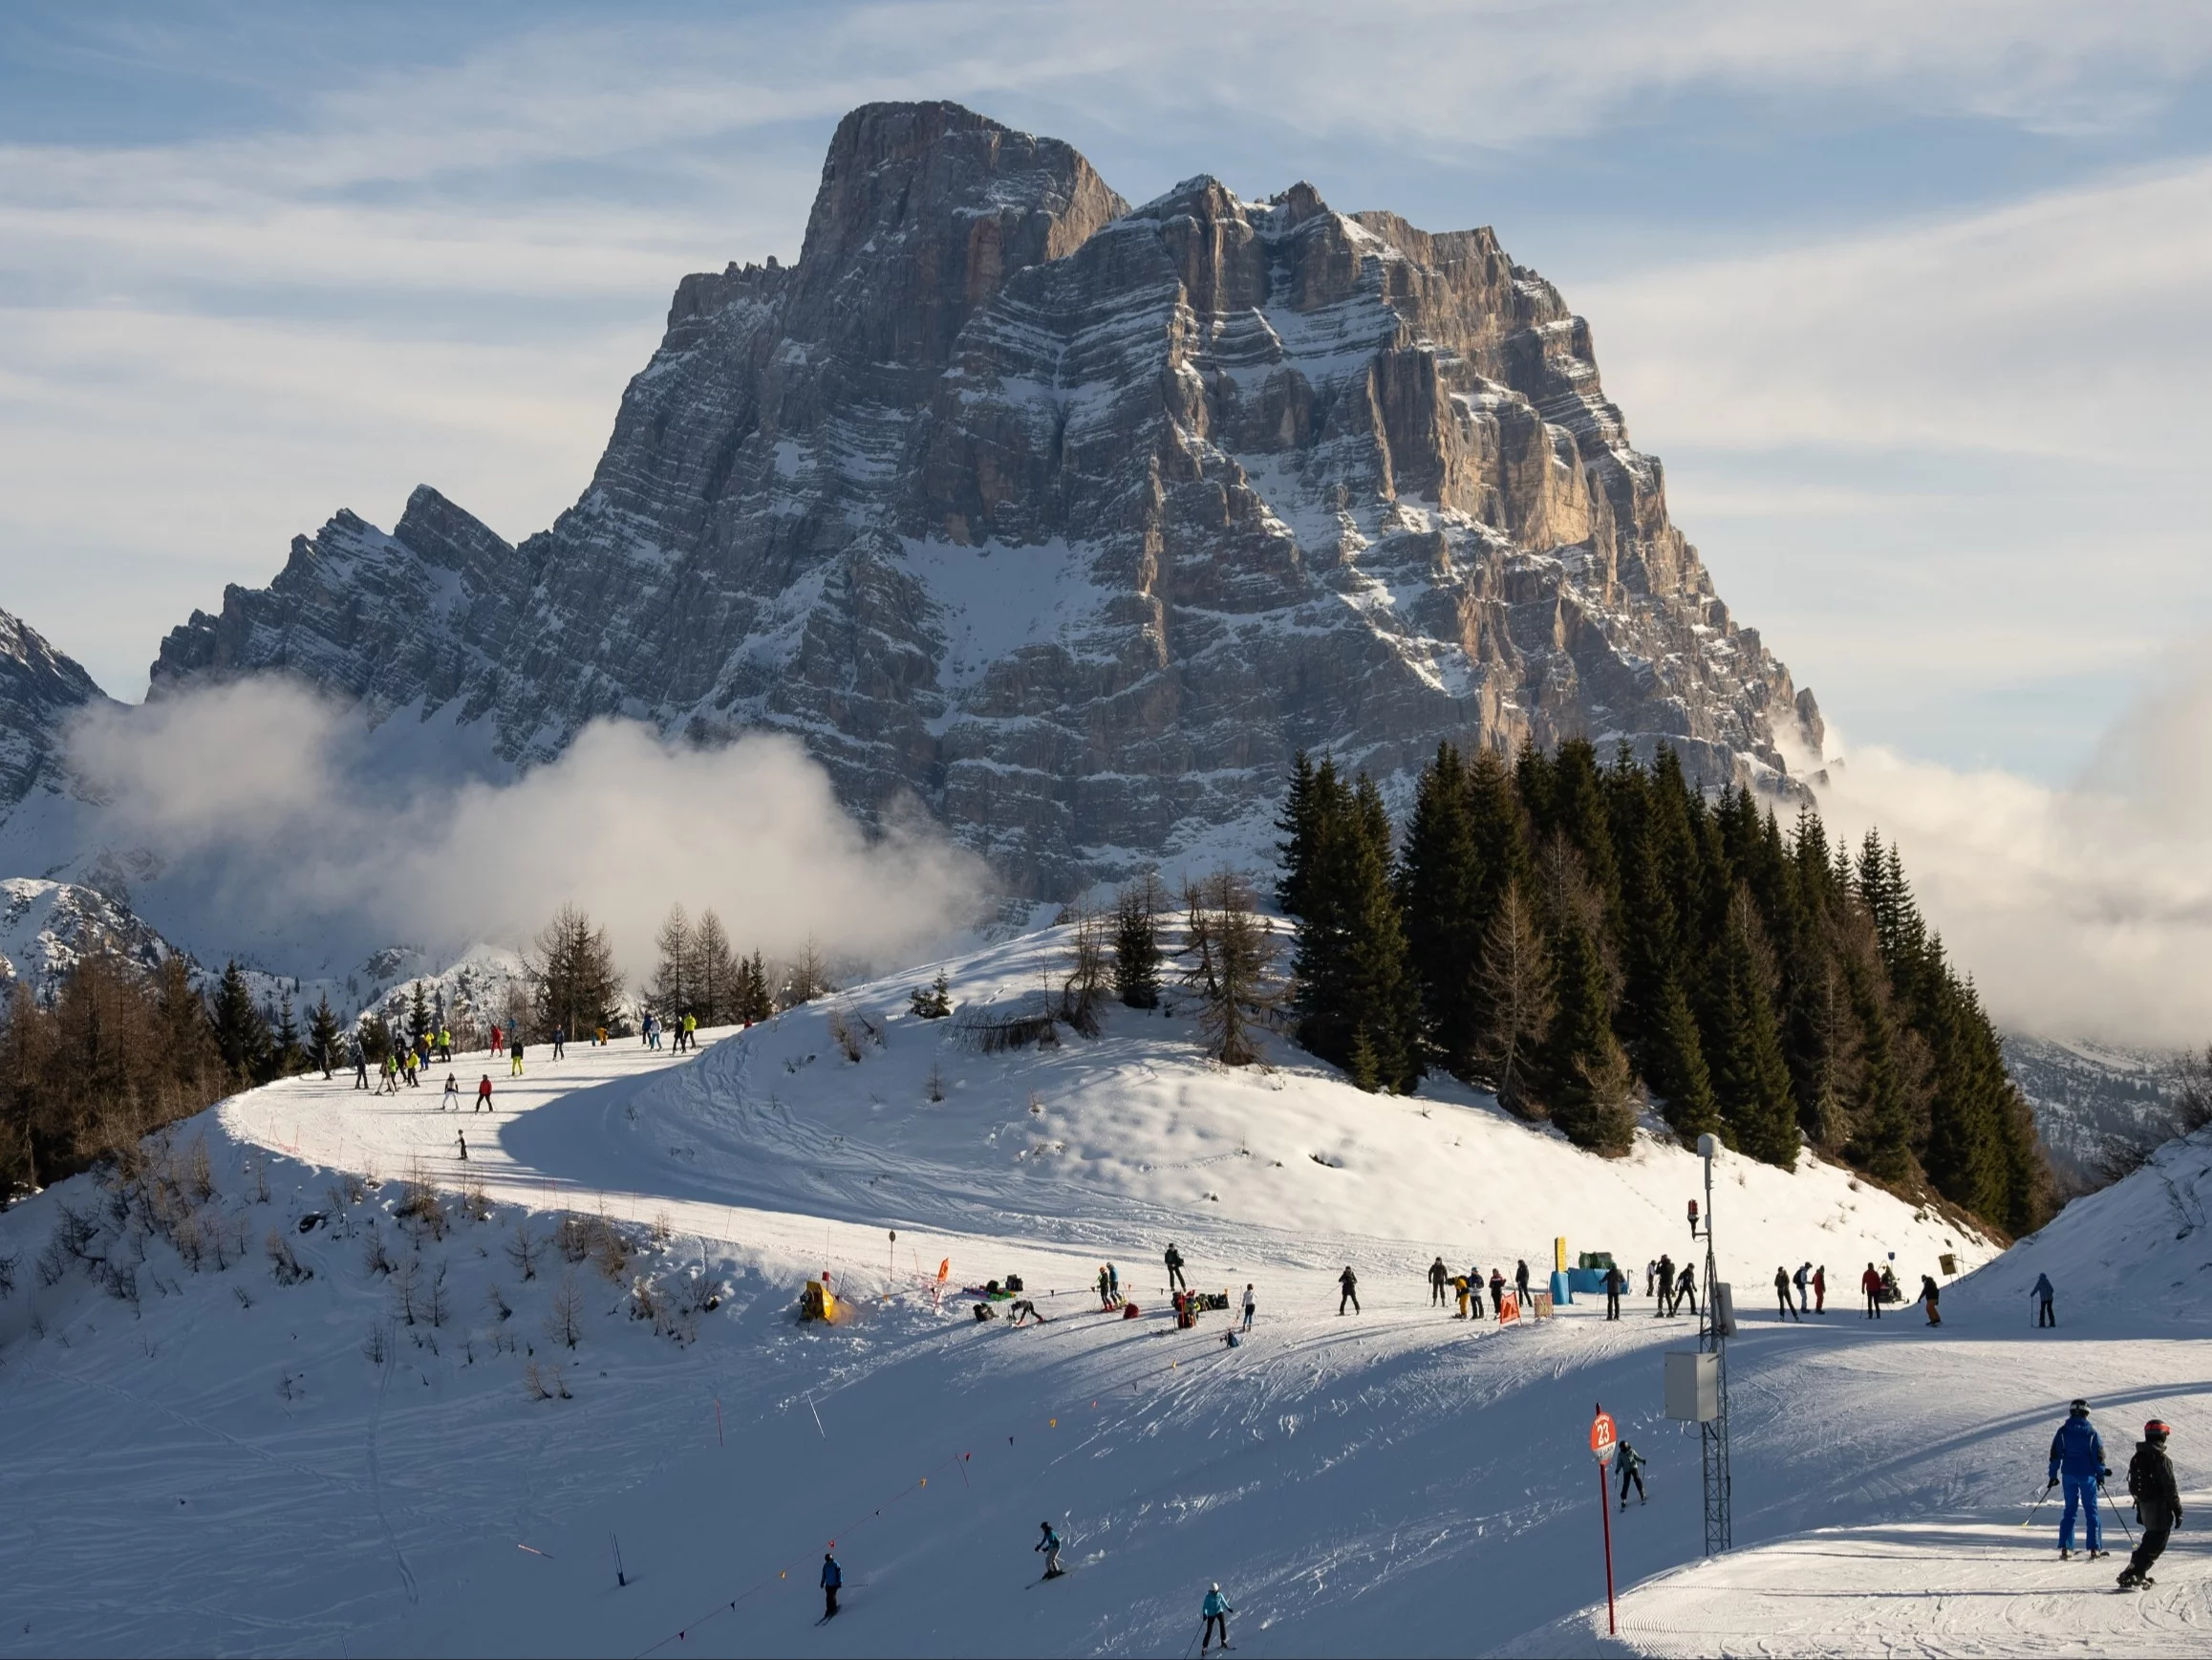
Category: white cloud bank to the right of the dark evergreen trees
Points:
column 2083, row 913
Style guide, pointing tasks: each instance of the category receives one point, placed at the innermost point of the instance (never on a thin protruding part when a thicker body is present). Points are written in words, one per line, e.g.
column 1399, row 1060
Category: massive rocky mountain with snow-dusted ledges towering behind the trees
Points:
column 1070, row 519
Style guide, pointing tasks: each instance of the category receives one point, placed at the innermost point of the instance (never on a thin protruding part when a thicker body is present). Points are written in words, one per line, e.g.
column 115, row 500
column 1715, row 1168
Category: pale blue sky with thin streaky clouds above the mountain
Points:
column 1910, row 300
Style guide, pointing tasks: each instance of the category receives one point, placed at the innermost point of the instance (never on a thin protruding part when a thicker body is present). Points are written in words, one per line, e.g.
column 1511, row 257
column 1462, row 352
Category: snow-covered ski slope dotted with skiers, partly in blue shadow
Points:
column 225, row 1469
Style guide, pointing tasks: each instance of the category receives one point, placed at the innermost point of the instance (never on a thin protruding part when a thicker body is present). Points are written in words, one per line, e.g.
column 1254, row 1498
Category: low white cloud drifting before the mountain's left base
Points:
column 286, row 829
